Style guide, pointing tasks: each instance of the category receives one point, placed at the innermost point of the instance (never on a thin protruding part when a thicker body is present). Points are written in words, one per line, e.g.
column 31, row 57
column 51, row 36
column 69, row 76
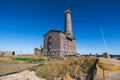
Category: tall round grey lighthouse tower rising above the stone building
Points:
column 68, row 23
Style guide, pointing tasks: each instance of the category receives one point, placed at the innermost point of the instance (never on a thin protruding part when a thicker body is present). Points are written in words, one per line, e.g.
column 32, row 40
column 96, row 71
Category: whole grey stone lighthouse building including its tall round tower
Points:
column 58, row 43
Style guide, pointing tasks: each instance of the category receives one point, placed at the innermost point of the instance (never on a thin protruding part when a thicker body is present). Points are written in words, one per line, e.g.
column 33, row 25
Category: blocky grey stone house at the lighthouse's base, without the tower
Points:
column 57, row 44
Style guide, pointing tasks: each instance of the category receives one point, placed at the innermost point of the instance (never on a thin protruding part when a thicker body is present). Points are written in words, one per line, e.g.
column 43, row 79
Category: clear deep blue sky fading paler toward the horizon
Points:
column 24, row 22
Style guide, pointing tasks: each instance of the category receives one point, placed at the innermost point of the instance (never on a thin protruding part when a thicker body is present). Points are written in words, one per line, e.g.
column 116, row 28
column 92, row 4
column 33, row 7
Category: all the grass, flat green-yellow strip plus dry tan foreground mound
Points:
column 50, row 68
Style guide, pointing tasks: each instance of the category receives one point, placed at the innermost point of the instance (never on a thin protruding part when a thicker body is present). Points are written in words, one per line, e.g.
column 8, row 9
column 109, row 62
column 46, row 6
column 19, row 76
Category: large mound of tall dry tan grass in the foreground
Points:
column 59, row 69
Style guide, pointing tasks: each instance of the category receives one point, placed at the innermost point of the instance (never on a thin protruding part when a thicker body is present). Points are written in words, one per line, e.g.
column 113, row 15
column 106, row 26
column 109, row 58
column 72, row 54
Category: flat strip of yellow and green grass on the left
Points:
column 21, row 59
